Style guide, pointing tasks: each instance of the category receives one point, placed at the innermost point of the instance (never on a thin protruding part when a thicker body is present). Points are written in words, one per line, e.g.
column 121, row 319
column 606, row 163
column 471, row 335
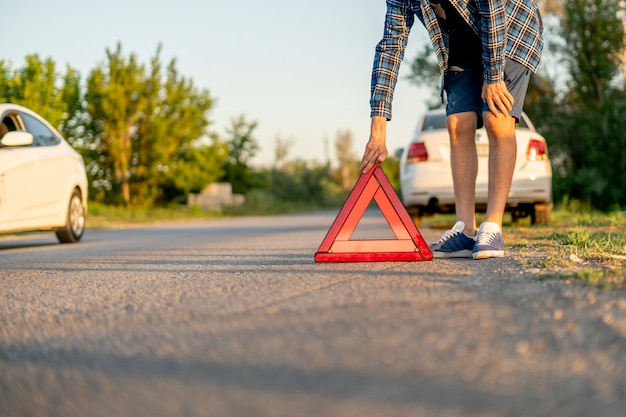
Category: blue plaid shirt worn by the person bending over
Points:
column 507, row 28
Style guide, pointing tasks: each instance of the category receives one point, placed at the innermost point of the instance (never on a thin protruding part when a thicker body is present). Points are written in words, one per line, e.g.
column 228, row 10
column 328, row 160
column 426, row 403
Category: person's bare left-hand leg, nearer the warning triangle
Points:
column 464, row 162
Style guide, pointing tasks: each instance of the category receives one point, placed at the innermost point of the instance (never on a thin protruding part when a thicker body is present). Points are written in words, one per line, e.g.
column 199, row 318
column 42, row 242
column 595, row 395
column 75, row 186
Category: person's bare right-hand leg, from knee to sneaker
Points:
column 502, row 155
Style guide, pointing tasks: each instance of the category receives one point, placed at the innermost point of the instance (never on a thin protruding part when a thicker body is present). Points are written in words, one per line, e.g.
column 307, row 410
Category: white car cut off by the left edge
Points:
column 43, row 183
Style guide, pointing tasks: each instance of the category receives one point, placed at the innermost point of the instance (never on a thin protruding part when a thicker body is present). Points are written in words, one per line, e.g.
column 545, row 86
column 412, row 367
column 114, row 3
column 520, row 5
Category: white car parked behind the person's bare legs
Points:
column 426, row 177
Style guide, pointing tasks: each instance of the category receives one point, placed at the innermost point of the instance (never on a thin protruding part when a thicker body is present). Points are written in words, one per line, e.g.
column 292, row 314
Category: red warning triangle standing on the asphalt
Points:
column 408, row 245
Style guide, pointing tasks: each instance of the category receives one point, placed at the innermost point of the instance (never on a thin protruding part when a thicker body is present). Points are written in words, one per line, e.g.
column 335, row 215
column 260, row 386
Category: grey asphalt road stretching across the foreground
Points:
column 234, row 318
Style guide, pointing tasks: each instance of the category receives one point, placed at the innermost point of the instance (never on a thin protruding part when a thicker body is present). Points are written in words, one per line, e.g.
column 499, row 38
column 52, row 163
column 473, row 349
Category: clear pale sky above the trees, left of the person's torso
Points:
column 300, row 69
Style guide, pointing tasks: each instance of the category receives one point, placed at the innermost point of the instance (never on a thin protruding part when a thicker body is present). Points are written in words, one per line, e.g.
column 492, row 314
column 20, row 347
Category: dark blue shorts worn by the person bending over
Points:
column 463, row 88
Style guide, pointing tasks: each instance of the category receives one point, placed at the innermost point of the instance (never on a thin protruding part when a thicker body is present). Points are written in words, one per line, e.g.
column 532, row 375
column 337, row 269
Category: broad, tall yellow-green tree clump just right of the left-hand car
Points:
column 149, row 129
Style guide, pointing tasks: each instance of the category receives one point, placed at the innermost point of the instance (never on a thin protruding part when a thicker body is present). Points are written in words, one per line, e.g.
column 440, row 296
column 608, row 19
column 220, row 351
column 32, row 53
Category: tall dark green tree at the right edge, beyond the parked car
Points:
column 591, row 117
